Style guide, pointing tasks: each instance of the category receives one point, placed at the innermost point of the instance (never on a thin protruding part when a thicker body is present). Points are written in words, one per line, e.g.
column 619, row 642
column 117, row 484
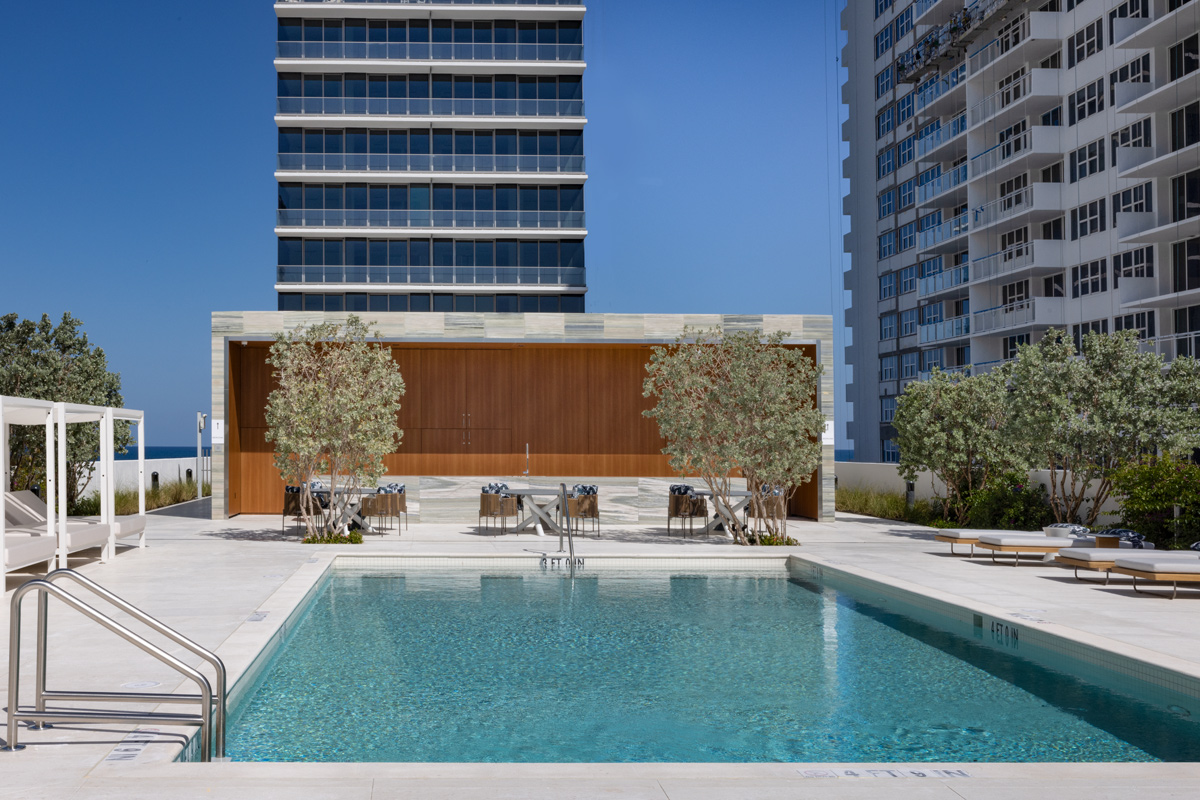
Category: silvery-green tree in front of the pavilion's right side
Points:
column 737, row 402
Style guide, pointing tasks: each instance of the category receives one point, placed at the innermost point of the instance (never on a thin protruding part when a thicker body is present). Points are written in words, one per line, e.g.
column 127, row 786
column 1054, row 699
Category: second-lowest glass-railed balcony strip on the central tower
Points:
column 425, row 219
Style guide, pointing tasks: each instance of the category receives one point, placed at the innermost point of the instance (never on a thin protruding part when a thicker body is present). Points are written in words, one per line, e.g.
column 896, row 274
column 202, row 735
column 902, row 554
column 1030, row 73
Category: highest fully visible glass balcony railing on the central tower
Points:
column 430, row 51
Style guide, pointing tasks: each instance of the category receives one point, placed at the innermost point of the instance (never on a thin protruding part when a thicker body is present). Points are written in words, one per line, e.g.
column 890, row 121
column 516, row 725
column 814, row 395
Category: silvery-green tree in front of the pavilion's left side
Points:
column 333, row 413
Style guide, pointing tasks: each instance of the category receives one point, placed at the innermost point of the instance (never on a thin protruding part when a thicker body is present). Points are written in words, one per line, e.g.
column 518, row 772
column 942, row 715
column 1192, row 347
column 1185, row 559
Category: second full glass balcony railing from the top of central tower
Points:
column 429, row 107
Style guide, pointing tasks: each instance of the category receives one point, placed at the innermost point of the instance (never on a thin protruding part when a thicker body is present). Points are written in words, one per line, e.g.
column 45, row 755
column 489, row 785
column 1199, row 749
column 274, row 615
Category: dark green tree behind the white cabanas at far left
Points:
column 57, row 363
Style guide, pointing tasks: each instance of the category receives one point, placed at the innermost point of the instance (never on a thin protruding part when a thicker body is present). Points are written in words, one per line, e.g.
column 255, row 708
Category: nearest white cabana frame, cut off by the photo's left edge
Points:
column 23, row 548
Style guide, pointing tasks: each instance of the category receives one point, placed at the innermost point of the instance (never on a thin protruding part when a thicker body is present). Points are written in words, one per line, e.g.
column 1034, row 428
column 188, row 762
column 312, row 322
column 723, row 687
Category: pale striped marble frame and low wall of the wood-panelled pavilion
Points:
column 627, row 496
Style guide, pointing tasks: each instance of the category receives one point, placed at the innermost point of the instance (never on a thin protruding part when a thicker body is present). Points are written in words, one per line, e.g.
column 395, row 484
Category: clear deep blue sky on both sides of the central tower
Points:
column 137, row 190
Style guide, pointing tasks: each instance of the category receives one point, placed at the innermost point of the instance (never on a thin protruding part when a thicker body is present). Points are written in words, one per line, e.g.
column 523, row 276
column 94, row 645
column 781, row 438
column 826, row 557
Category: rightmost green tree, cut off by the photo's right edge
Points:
column 1085, row 416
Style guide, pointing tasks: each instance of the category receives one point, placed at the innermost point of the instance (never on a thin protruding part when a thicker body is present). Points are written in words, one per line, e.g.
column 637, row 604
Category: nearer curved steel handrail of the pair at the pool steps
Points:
column 46, row 588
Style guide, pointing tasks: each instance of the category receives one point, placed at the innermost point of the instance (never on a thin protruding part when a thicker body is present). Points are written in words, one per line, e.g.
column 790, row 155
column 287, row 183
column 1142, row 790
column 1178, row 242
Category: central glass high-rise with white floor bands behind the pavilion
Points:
column 431, row 155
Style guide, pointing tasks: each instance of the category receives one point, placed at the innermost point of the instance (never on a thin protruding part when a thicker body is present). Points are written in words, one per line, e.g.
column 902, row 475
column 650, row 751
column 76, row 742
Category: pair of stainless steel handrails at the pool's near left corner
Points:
column 211, row 719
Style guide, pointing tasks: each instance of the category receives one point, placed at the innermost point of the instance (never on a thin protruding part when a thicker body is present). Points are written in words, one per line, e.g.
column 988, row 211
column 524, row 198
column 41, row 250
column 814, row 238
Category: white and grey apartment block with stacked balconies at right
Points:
column 1016, row 166
